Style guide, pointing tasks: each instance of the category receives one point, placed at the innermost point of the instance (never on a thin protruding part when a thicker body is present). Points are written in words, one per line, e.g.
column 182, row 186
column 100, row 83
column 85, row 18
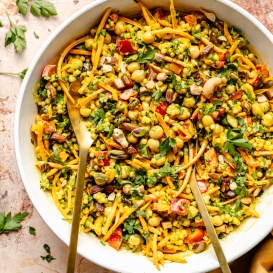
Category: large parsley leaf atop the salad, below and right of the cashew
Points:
column 234, row 141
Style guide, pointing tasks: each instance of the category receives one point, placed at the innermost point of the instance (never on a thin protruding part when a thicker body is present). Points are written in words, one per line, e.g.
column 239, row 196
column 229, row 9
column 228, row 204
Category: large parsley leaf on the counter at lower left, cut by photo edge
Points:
column 8, row 223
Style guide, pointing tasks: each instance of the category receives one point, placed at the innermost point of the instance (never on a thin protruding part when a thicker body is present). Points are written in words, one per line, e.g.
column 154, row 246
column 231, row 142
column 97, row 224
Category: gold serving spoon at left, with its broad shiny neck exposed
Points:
column 84, row 141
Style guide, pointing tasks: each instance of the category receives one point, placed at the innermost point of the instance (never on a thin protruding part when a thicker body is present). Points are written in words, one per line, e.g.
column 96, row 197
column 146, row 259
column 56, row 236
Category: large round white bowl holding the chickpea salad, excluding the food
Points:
column 236, row 244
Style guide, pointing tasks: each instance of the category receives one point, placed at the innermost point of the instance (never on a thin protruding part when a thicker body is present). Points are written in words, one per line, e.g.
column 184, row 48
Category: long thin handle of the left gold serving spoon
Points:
column 77, row 210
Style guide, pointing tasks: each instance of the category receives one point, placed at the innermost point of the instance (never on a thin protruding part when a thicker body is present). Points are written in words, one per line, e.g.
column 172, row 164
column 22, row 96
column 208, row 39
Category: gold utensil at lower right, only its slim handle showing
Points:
column 208, row 224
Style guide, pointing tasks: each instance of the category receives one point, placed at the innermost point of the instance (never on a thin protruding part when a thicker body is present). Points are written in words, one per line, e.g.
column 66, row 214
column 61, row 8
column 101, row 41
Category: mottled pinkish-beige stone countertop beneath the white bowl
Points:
column 19, row 251
